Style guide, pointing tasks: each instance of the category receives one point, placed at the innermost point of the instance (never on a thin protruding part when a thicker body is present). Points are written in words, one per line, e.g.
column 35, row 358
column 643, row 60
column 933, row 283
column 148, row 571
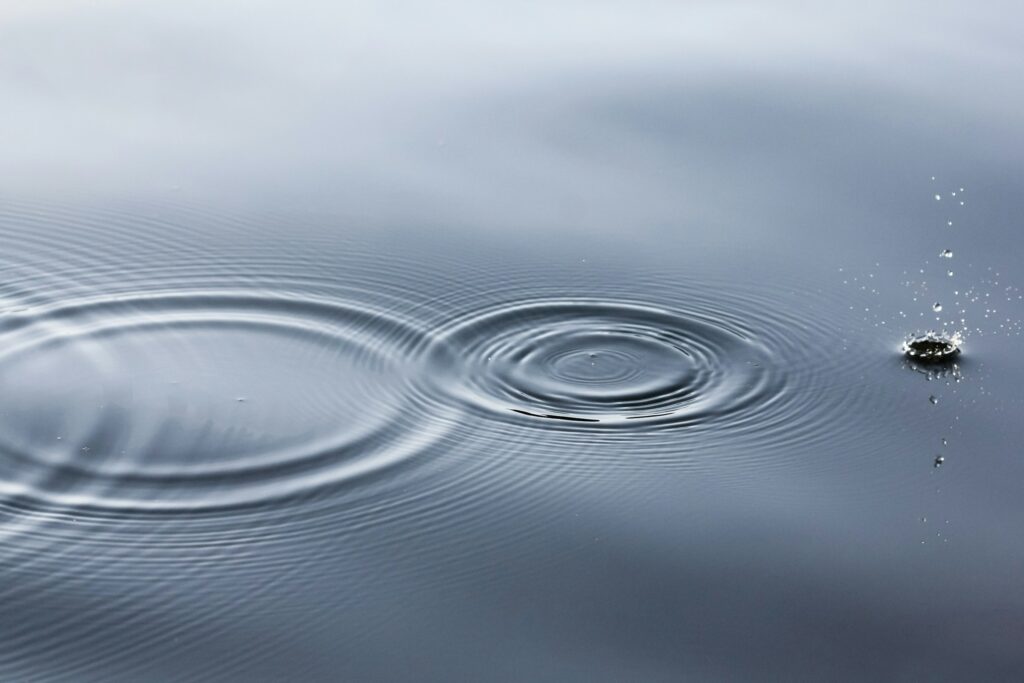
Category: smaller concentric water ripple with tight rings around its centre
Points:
column 608, row 364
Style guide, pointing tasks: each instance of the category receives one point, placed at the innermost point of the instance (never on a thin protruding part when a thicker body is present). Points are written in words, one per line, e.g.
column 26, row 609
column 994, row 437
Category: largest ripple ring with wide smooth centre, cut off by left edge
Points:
column 193, row 402
